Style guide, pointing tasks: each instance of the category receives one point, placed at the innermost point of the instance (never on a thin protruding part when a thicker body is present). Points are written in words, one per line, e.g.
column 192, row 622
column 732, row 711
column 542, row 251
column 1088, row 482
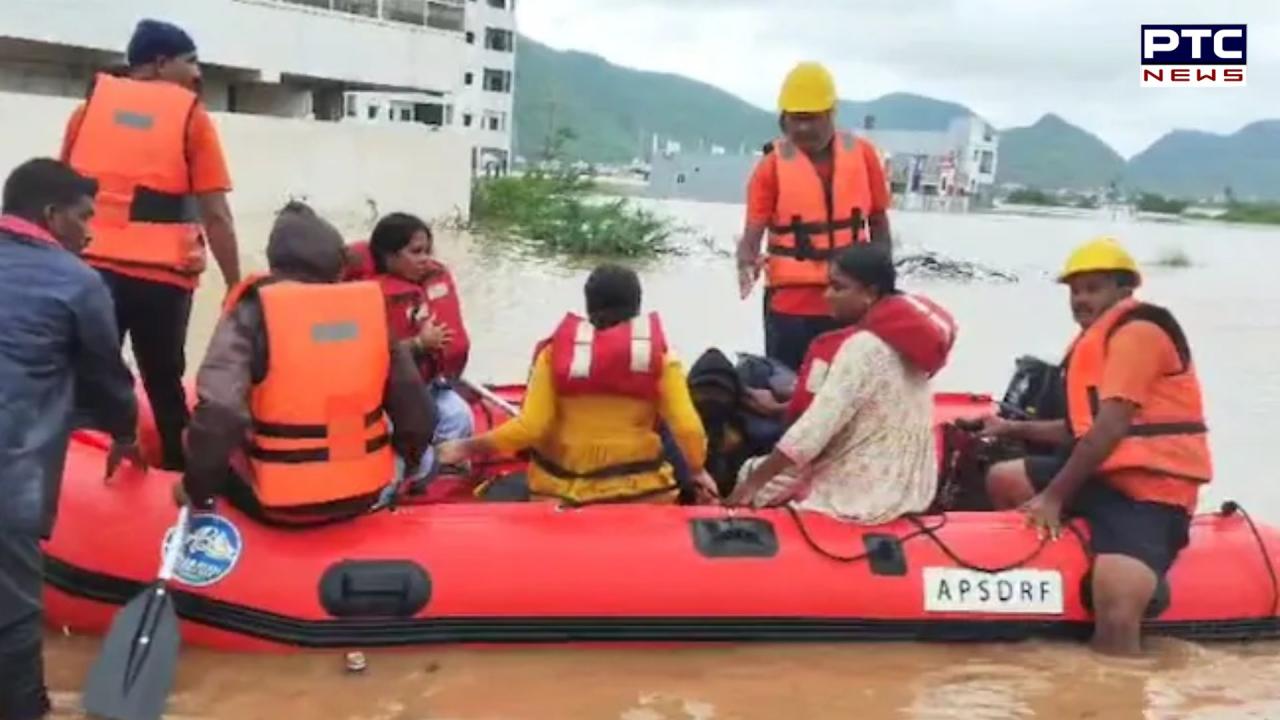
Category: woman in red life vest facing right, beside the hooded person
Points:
column 424, row 312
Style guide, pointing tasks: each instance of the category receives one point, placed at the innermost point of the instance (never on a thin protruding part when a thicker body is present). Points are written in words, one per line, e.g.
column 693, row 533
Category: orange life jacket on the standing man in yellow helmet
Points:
column 812, row 222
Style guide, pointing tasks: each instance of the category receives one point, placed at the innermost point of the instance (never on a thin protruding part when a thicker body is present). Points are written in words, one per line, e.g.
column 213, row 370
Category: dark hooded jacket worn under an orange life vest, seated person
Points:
column 303, row 249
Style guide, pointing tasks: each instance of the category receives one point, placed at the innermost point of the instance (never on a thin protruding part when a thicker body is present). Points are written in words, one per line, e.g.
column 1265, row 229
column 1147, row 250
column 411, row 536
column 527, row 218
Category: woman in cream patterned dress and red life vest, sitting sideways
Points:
column 861, row 444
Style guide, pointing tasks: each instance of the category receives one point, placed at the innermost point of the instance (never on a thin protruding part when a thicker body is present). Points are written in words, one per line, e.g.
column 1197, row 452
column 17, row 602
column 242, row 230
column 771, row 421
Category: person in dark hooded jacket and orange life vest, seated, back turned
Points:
column 305, row 368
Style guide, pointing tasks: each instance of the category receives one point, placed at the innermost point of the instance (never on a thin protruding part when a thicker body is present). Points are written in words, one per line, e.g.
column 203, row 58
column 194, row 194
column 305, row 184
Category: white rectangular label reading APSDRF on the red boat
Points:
column 1013, row 593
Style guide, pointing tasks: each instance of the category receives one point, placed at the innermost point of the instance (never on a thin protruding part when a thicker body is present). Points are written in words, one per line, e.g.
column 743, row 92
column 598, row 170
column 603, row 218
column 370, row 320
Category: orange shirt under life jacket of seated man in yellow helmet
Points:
column 1139, row 356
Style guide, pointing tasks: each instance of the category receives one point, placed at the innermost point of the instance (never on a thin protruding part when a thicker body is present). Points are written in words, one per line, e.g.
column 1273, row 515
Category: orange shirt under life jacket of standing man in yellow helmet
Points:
column 762, row 198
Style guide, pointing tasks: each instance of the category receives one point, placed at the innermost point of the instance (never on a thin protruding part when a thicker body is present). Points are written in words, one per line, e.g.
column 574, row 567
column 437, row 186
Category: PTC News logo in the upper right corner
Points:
column 1196, row 56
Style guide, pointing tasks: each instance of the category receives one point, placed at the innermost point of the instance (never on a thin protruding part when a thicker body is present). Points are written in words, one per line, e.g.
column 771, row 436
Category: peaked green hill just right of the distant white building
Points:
column 1055, row 154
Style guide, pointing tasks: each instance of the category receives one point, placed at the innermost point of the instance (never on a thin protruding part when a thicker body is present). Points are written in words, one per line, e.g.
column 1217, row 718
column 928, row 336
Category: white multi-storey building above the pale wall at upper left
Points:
column 441, row 63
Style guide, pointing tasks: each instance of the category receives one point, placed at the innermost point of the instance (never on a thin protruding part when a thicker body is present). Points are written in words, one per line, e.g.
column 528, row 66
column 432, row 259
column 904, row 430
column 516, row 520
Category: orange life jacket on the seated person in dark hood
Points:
column 319, row 430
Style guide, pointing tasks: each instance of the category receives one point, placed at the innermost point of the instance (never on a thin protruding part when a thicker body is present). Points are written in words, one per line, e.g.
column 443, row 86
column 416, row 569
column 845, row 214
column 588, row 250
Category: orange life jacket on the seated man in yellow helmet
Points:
column 1168, row 435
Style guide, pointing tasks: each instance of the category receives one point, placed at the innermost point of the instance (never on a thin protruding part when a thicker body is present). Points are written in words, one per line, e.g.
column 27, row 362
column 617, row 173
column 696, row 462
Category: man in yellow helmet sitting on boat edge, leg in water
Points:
column 1135, row 443
